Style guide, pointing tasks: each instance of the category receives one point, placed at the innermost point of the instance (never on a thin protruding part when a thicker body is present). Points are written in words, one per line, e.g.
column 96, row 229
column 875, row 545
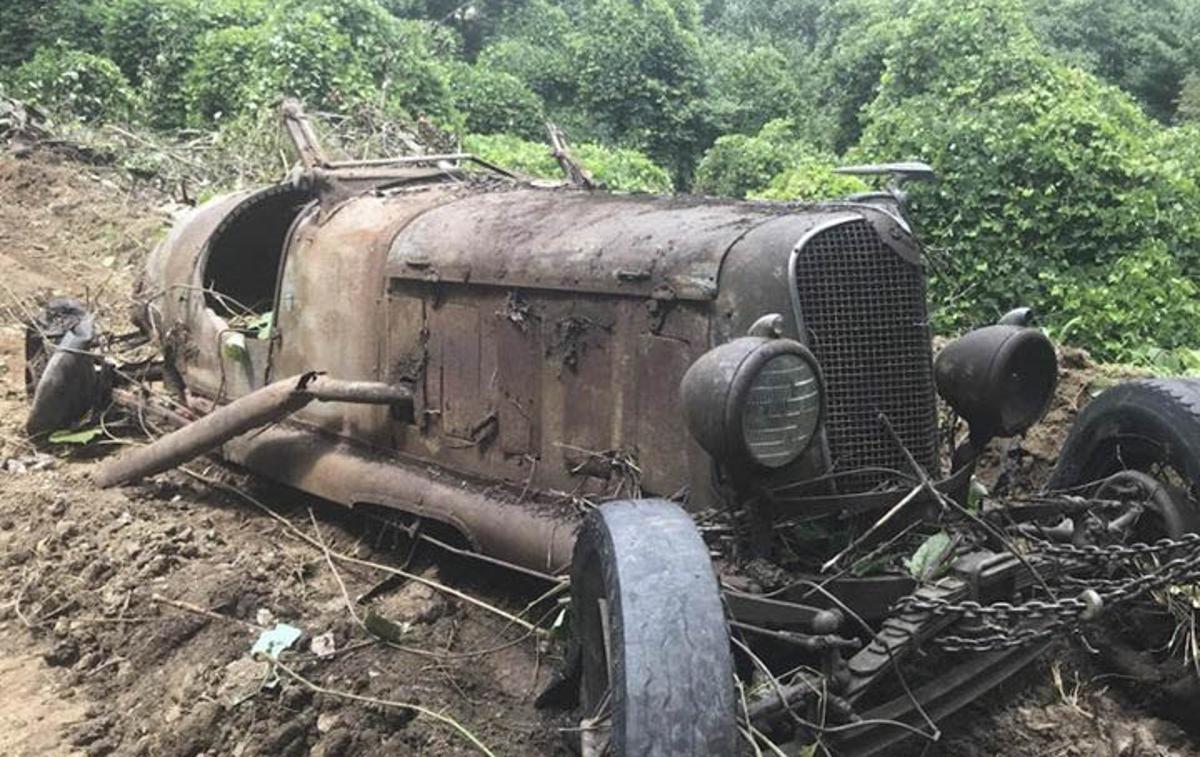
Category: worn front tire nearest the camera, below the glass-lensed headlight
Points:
column 671, row 671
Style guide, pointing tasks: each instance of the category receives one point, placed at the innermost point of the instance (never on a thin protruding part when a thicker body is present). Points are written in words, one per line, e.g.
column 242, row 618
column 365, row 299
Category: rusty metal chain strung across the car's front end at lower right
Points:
column 1045, row 620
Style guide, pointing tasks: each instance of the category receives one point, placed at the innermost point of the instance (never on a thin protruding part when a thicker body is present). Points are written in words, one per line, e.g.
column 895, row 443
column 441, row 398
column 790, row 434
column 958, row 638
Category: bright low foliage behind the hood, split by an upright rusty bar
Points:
column 620, row 170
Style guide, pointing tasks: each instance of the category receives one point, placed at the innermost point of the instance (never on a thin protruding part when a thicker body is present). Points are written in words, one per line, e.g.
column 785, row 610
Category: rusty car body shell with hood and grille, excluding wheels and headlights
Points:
column 544, row 334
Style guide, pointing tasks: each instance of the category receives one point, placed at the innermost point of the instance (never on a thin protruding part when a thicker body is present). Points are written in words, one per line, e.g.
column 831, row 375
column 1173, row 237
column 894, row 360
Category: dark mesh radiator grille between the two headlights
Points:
column 863, row 309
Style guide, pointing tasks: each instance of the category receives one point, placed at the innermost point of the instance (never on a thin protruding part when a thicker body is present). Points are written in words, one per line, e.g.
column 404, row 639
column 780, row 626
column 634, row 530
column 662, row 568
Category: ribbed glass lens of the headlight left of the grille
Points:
column 782, row 412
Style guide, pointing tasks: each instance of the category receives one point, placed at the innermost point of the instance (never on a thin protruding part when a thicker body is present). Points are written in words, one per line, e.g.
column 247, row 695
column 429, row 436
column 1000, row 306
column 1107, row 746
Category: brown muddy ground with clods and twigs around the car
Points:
column 127, row 617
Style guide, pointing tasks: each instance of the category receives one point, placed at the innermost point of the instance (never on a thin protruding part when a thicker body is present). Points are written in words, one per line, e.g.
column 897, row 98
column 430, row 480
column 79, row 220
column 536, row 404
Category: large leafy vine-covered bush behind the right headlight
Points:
column 1049, row 179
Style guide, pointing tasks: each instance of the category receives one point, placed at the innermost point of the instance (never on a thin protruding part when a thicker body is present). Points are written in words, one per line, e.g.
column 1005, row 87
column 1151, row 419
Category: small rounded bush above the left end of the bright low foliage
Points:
column 494, row 103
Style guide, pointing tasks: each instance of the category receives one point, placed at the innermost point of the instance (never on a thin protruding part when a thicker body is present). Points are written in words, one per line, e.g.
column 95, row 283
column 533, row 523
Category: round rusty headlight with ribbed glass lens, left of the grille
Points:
column 755, row 401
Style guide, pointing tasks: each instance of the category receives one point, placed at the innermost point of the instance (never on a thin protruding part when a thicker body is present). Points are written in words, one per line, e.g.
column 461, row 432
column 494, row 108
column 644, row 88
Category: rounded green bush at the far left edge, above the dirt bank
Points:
column 74, row 83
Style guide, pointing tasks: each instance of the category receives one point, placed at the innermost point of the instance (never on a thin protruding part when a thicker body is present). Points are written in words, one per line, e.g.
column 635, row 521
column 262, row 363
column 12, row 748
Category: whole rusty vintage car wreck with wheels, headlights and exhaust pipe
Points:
column 715, row 417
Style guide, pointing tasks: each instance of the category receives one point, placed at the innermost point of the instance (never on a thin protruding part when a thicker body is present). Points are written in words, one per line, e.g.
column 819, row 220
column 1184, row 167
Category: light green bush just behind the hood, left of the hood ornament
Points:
column 776, row 164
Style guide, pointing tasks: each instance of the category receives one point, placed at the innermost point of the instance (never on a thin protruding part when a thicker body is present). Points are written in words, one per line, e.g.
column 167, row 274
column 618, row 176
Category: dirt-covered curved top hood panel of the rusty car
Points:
column 579, row 242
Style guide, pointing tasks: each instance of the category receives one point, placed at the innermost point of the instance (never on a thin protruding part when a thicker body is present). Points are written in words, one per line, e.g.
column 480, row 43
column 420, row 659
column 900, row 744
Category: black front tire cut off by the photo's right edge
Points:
column 1136, row 426
